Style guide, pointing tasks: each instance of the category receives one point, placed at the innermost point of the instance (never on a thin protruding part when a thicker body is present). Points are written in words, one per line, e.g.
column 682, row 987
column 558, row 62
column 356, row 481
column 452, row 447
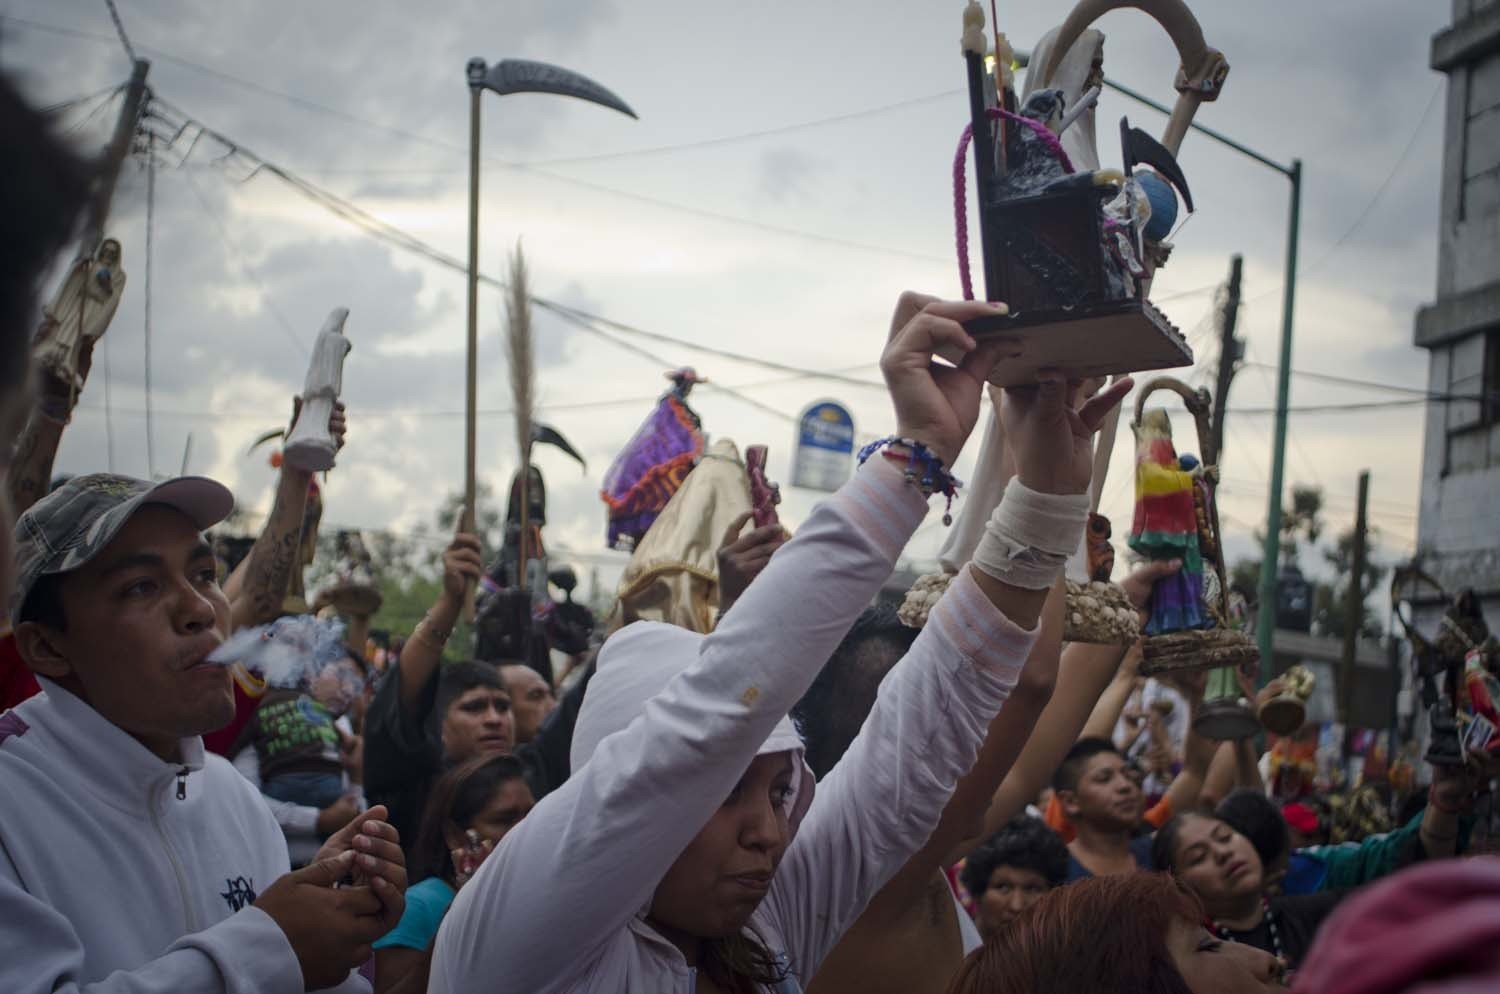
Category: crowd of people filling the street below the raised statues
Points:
column 808, row 797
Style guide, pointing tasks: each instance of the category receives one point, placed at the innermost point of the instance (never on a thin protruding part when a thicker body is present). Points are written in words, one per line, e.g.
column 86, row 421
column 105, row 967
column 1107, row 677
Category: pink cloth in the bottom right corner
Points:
column 1429, row 930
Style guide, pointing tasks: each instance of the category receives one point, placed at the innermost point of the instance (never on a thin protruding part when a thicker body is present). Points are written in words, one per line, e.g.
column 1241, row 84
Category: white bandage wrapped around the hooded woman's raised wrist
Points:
column 1031, row 536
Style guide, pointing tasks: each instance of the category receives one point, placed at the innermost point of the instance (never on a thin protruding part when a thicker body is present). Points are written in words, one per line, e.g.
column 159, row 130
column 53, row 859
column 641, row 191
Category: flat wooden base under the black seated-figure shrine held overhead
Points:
column 1127, row 337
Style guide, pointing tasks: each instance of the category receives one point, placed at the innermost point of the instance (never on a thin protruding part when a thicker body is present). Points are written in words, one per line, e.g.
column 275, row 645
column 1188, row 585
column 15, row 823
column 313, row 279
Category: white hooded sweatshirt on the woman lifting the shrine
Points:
column 671, row 723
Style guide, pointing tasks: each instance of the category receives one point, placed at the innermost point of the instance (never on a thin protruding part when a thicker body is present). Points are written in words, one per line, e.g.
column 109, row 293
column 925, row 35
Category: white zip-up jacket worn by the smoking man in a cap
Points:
column 125, row 875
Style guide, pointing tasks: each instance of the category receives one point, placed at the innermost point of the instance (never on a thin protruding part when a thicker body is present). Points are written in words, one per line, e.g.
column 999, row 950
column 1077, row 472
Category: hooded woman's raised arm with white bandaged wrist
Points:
column 884, row 800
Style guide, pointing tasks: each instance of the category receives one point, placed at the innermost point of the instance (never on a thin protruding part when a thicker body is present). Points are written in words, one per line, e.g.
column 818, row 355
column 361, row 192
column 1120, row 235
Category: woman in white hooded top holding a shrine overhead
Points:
column 688, row 852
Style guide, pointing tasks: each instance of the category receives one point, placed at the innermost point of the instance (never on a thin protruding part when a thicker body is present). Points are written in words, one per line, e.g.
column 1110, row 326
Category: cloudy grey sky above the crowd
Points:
column 787, row 179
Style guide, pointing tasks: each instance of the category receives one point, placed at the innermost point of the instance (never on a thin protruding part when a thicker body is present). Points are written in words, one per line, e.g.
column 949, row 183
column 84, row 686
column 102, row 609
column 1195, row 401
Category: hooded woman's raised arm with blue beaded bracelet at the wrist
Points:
column 587, row 860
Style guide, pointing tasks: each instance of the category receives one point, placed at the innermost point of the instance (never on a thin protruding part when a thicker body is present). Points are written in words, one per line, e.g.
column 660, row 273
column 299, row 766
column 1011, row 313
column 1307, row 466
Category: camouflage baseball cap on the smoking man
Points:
column 73, row 524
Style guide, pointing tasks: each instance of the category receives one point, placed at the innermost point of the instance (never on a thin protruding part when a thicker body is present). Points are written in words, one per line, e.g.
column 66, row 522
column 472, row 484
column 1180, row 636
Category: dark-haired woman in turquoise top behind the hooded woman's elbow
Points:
column 473, row 807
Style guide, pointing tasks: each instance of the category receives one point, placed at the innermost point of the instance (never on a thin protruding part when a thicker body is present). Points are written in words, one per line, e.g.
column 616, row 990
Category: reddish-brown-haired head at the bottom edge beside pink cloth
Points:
column 1139, row 933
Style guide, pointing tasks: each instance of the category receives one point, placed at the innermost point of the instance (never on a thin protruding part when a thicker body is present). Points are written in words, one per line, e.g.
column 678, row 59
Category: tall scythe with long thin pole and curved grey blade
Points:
column 509, row 76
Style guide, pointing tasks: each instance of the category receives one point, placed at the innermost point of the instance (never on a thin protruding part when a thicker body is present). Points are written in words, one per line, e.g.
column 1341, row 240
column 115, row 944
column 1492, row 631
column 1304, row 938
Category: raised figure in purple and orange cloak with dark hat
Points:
column 653, row 464
